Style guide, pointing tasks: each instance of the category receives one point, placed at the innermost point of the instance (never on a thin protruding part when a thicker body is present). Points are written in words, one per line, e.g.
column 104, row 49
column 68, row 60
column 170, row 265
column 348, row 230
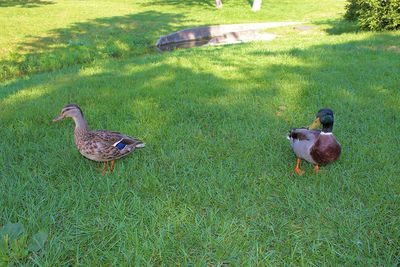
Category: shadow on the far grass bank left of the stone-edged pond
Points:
column 117, row 37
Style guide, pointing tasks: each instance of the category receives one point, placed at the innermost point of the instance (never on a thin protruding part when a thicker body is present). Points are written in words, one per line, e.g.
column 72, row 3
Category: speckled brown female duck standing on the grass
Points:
column 98, row 145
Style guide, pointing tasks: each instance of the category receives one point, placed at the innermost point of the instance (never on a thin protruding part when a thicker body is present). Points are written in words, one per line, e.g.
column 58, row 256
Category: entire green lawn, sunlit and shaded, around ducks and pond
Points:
column 215, row 183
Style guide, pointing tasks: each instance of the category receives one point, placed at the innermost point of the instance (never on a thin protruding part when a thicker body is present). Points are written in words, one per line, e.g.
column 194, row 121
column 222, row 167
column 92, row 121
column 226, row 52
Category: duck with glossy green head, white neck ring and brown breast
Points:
column 319, row 147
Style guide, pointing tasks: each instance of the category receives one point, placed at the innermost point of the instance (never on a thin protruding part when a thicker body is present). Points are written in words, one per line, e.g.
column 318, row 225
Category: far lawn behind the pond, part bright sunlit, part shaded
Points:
column 72, row 32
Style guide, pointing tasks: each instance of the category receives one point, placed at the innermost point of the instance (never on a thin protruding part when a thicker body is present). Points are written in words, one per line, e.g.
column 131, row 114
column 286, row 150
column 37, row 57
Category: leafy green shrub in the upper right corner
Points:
column 375, row 15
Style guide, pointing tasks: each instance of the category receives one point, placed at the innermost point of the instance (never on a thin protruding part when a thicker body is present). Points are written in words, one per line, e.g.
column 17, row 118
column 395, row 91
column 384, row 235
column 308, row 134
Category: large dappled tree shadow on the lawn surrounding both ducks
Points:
column 217, row 169
